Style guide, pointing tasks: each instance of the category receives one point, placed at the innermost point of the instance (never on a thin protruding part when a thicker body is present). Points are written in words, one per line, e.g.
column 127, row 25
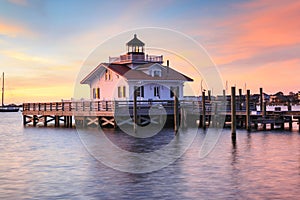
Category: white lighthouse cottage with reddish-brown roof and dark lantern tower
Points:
column 135, row 70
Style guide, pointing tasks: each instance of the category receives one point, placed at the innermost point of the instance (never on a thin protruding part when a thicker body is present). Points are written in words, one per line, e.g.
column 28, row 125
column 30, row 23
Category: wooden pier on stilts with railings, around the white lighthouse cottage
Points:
column 239, row 113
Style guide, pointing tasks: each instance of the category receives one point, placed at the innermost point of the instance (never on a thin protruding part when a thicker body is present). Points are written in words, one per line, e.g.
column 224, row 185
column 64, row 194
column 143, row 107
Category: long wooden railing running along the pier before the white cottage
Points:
column 86, row 107
